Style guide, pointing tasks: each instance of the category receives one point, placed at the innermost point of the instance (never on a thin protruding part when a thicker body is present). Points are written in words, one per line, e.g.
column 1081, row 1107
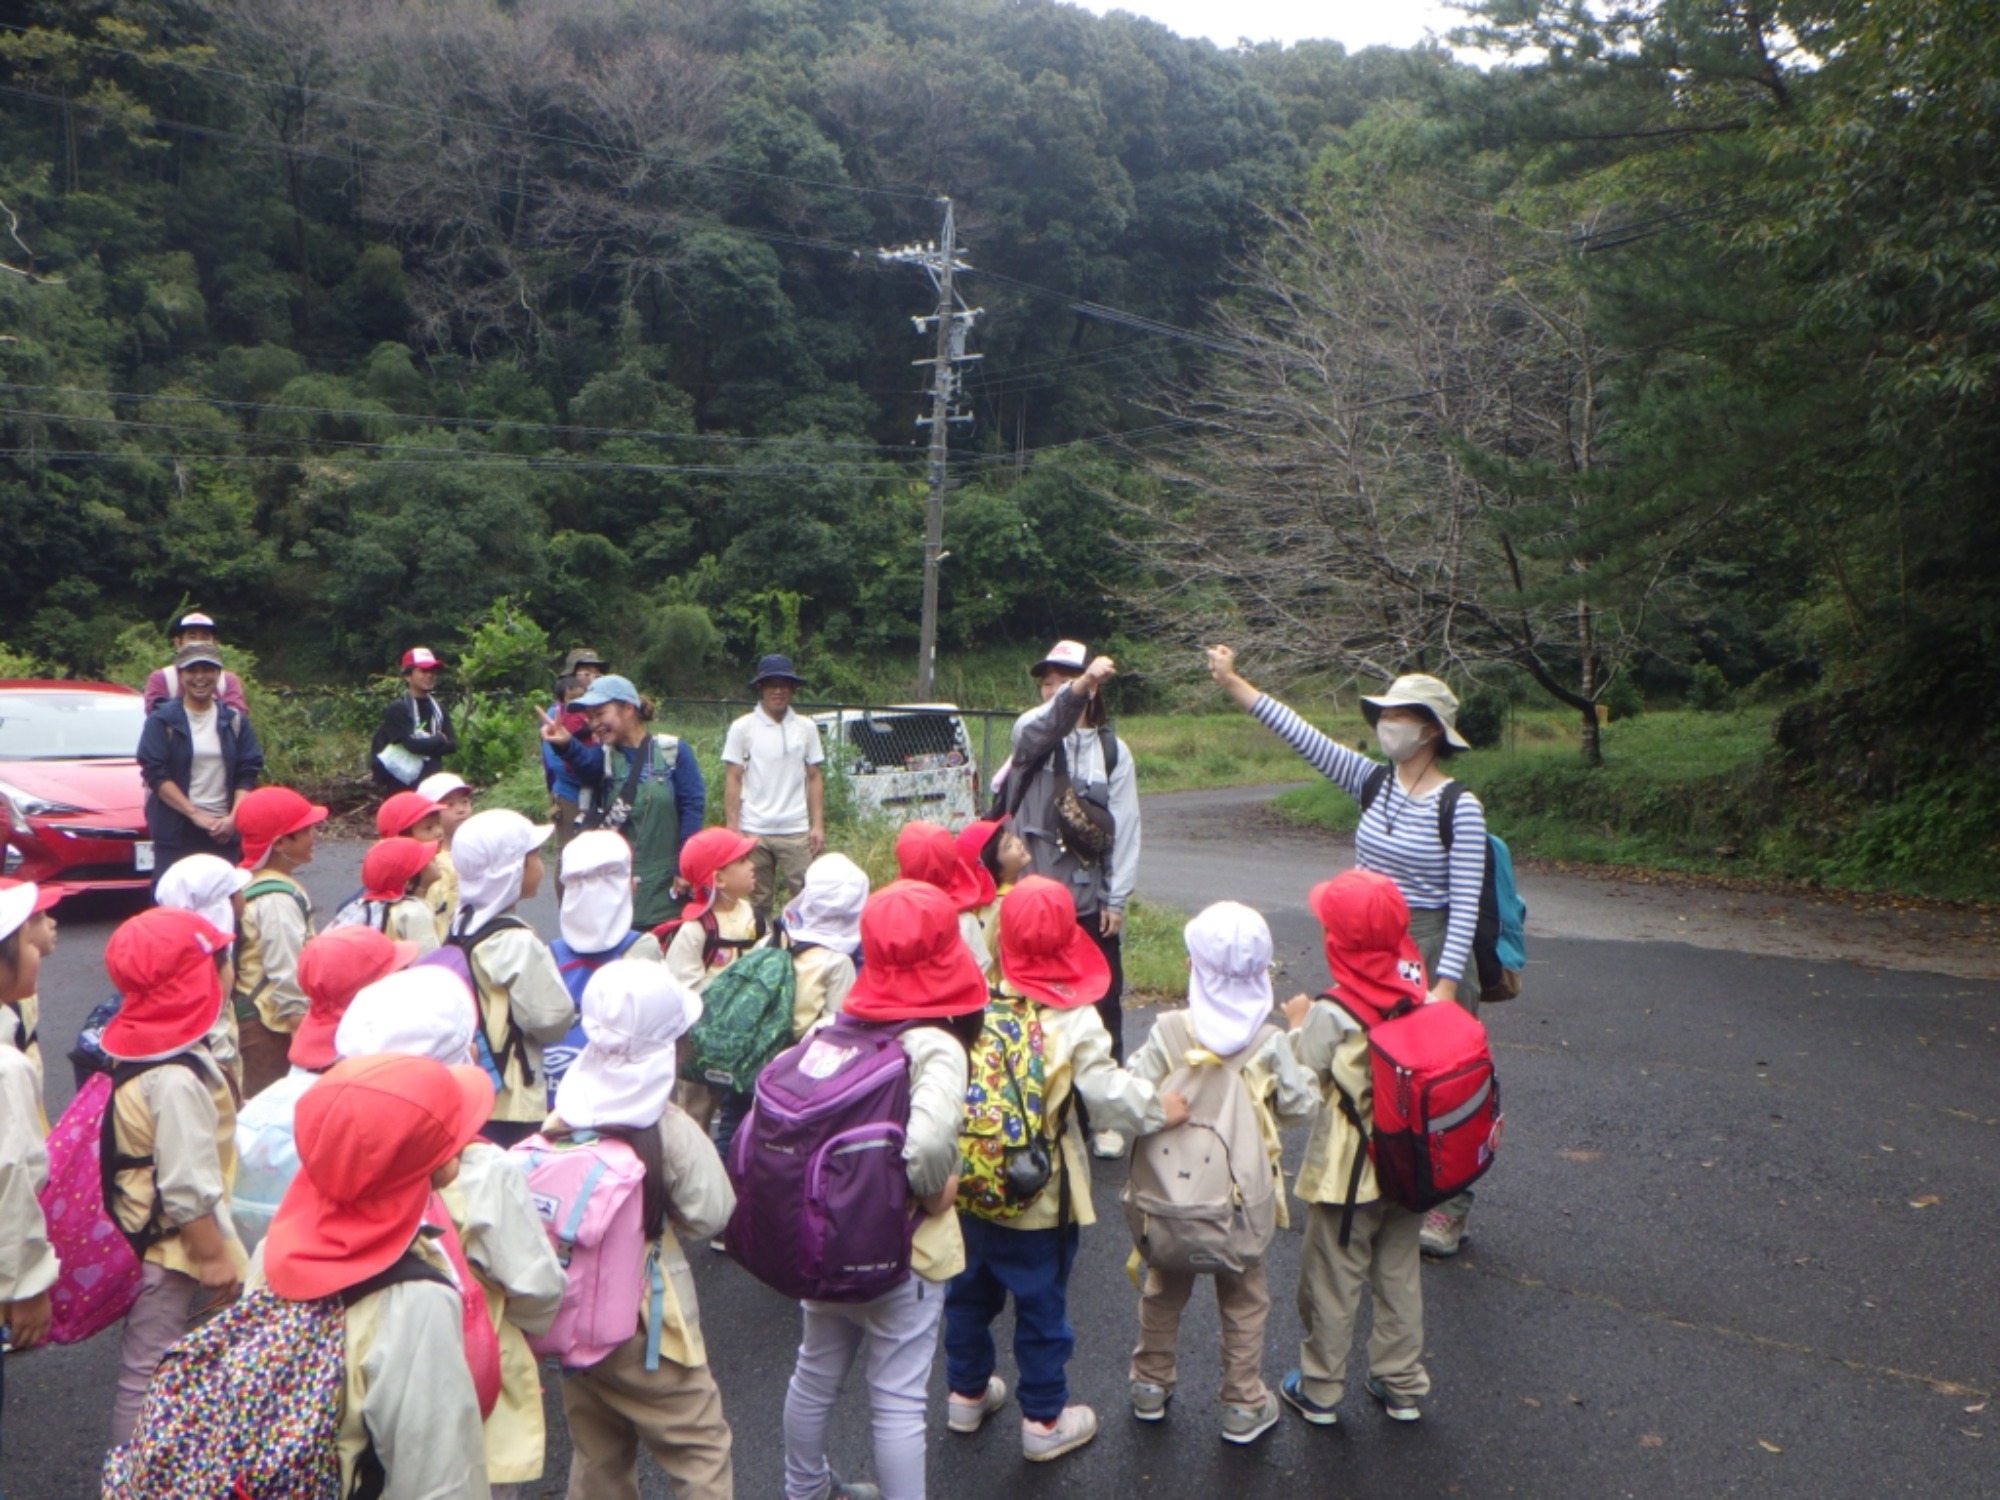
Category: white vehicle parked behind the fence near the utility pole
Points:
column 905, row 763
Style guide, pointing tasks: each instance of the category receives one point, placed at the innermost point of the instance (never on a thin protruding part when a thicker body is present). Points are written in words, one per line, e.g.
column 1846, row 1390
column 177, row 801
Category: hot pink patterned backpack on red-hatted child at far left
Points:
column 101, row 1277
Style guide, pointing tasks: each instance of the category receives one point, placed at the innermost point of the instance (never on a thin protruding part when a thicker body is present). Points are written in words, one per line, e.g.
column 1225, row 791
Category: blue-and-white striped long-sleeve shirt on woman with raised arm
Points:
column 1399, row 835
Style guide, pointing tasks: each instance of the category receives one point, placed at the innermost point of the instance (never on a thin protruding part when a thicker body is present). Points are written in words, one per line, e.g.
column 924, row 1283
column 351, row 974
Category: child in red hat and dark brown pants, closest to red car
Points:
column 279, row 831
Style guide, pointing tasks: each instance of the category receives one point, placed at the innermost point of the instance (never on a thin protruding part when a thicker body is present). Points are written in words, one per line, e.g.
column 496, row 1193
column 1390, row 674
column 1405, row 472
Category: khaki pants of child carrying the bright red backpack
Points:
column 1381, row 1257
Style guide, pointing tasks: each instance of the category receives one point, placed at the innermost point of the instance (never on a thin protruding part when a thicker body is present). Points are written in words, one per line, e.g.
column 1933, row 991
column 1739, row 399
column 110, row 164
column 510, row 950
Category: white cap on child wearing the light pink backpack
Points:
column 635, row 1017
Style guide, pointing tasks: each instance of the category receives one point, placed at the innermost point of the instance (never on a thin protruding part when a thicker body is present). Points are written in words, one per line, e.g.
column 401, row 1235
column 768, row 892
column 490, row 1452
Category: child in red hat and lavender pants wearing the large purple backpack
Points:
column 917, row 977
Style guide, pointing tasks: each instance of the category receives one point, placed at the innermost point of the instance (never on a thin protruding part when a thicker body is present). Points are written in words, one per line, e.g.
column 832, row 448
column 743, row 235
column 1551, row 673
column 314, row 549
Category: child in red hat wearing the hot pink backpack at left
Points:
column 171, row 1137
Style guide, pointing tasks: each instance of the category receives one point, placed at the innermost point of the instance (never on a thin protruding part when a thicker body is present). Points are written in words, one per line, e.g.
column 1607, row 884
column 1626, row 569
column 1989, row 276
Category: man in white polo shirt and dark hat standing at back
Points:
column 773, row 785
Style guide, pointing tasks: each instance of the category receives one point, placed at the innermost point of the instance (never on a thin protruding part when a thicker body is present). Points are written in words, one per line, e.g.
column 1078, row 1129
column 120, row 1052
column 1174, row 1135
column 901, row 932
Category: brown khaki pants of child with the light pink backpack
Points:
column 677, row 1411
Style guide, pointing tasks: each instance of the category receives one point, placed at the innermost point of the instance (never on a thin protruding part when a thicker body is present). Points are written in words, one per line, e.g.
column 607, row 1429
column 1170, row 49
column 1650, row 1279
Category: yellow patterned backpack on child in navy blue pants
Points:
column 1005, row 1121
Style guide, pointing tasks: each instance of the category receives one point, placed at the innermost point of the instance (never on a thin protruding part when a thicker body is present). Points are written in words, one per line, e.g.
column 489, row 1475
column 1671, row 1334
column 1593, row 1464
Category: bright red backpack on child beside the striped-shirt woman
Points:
column 1437, row 1103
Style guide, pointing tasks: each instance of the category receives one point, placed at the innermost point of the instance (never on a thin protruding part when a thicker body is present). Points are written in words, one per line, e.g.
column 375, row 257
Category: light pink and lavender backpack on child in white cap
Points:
column 591, row 1195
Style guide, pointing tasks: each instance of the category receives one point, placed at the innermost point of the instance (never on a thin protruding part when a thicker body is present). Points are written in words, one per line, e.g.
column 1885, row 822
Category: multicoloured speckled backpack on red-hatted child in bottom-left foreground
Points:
column 249, row 1405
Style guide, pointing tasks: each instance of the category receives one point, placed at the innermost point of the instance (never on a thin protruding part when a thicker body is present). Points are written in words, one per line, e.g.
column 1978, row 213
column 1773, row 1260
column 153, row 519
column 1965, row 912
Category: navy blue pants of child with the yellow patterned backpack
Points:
column 1035, row 1269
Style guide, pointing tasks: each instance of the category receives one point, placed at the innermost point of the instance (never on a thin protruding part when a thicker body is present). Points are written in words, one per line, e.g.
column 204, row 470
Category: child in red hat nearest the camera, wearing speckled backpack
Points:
column 377, row 1139
